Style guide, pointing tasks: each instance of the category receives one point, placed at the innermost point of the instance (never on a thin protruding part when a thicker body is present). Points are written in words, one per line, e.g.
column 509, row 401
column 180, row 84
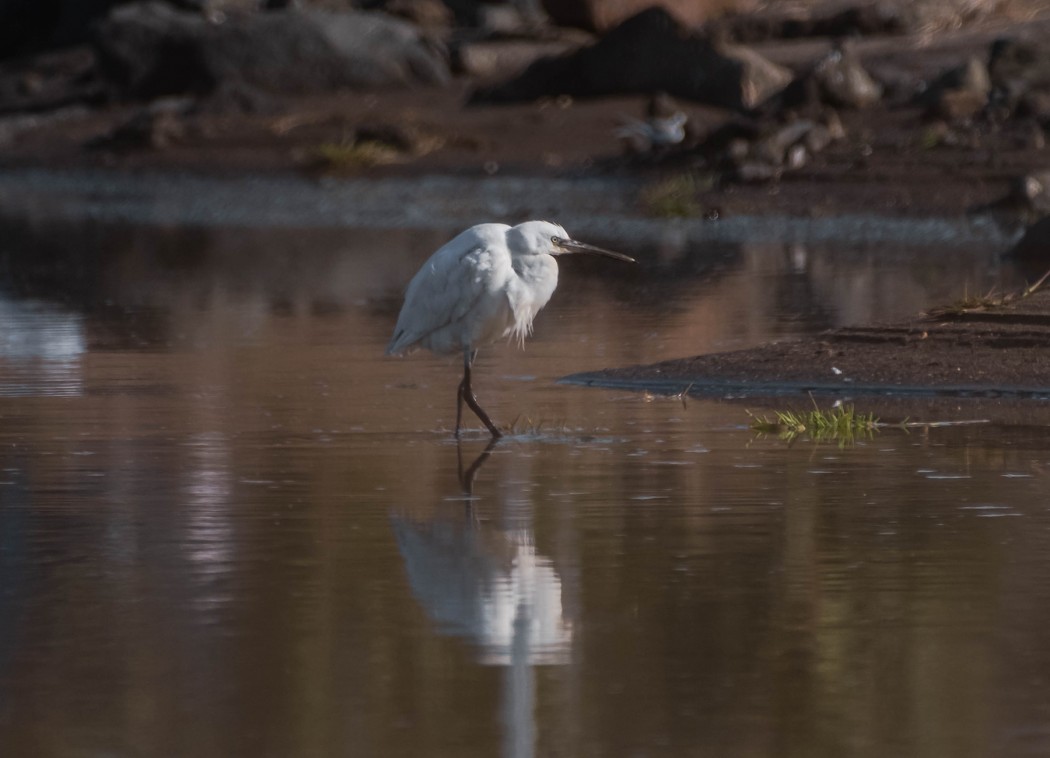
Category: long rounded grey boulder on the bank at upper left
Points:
column 151, row 50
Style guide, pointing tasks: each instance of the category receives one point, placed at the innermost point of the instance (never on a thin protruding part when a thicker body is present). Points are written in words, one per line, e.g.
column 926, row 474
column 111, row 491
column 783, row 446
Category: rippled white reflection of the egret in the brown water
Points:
column 492, row 587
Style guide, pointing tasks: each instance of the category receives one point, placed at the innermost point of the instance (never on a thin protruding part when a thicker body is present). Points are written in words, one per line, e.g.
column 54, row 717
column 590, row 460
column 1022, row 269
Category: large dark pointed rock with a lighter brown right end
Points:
column 626, row 61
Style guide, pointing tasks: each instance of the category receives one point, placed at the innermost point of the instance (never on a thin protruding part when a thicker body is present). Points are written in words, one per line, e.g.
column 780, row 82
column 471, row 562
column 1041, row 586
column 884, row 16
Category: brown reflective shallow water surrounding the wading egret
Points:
column 229, row 527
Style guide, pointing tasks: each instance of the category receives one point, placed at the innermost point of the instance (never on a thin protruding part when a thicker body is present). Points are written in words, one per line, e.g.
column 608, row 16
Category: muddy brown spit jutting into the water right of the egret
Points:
column 968, row 351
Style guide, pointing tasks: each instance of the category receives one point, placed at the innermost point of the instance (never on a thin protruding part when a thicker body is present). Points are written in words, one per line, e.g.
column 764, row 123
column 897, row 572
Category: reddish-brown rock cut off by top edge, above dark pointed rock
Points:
column 604, row 15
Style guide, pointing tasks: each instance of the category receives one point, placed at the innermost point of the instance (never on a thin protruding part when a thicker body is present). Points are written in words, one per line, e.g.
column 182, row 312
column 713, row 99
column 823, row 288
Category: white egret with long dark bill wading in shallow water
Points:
column 487, row 284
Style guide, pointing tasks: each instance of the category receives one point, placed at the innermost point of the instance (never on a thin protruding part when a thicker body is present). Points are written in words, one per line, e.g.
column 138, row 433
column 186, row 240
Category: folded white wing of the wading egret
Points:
column 443, row 296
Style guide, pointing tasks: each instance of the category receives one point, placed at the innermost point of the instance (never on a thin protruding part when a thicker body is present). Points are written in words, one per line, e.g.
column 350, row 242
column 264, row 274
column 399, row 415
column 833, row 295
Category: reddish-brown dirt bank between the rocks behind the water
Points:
column 886, row 164
